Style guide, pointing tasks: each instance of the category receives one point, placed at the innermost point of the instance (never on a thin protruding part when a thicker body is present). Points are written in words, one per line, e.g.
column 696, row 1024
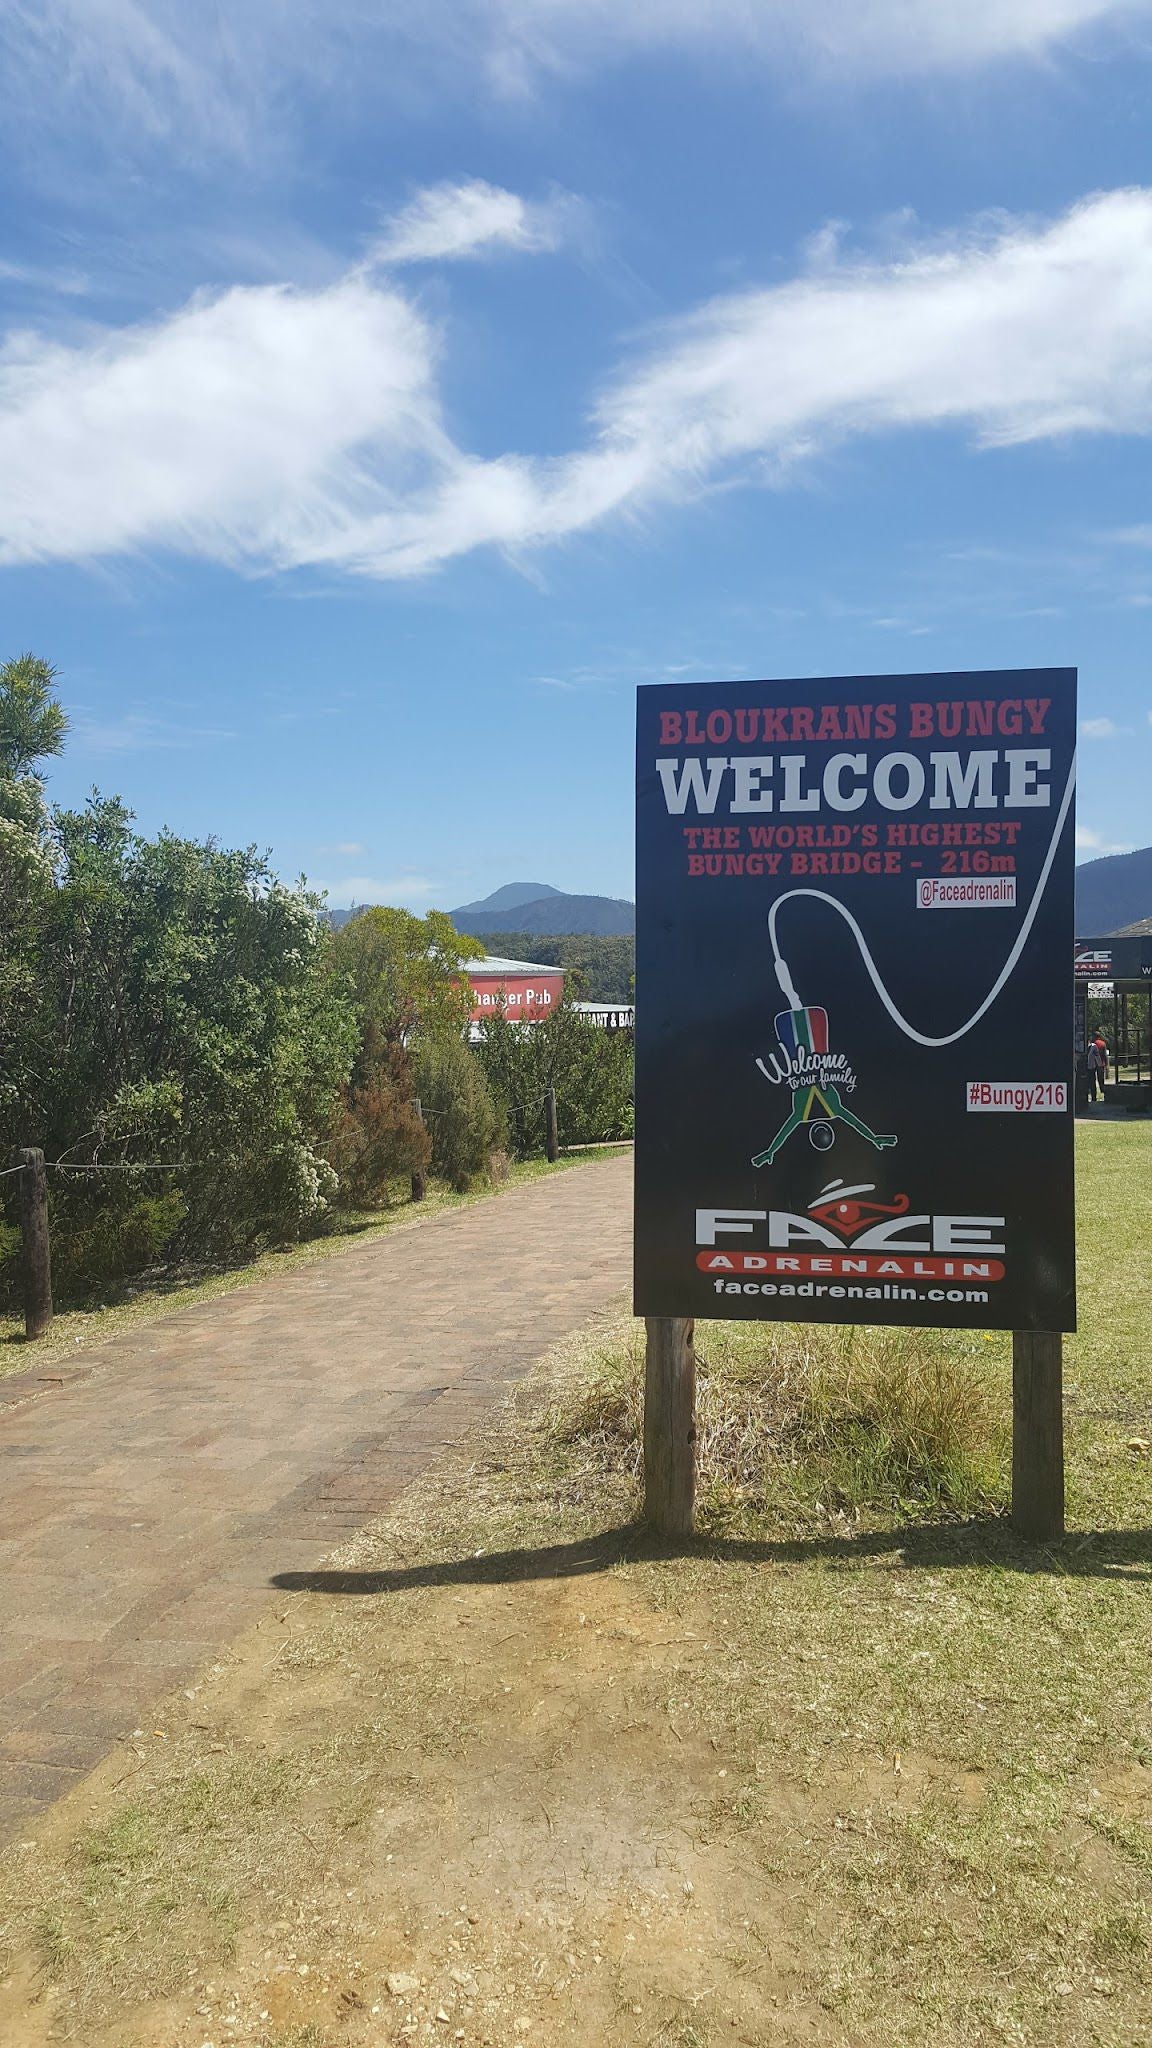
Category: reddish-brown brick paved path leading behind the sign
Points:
column 147, row 1502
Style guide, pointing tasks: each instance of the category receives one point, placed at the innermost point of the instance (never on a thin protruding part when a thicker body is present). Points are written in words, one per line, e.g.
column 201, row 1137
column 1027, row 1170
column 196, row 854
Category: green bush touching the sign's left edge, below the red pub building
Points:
column 589, row 1068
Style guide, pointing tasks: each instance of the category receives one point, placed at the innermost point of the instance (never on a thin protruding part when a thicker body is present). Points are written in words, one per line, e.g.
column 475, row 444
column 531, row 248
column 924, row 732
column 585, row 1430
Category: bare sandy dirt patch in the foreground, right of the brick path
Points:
column 540, row 1861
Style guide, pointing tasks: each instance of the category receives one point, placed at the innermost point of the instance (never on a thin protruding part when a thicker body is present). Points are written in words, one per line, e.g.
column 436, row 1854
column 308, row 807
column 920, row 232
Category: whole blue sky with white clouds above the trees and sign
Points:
column 382, row 402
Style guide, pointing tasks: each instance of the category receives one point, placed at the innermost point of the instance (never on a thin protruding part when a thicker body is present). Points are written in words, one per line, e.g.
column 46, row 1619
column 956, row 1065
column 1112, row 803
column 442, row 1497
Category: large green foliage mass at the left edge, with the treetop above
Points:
column 177, row 1007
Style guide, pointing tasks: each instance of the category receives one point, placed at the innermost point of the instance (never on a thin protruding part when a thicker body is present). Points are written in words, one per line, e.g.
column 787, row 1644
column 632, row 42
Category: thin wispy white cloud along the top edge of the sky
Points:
column 163, row 71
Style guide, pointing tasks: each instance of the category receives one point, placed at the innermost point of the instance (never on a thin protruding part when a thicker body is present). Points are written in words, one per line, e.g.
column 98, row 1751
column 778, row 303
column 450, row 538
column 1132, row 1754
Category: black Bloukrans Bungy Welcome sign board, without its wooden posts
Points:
column 854, row 1041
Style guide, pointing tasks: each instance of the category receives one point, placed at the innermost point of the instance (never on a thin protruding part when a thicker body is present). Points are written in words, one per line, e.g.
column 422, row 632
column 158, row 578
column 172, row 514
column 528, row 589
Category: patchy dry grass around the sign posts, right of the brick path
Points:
column 911, row 1746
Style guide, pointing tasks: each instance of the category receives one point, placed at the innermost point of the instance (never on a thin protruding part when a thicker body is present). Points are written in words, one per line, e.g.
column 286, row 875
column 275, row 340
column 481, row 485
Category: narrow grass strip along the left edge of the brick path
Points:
column 161, row 1295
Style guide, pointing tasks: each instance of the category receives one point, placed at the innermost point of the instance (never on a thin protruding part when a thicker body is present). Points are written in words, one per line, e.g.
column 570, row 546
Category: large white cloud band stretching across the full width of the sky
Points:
column 280, row 427
